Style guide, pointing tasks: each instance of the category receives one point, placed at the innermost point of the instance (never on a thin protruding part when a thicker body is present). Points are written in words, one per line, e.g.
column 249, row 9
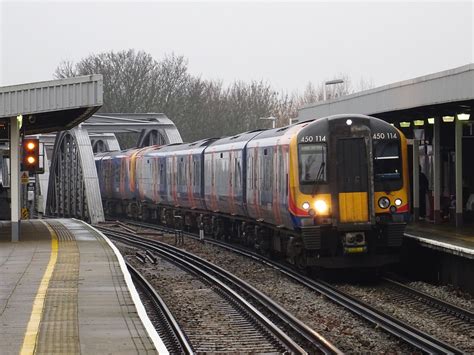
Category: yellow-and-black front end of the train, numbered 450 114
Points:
column 350, row 191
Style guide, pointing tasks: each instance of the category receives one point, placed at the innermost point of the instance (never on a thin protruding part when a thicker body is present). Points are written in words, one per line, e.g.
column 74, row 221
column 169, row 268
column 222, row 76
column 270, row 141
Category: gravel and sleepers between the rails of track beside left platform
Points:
column 210, row 322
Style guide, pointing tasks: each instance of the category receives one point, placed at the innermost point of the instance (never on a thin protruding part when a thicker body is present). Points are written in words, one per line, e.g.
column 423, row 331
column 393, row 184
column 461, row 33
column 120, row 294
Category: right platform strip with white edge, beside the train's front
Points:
column 444, row 237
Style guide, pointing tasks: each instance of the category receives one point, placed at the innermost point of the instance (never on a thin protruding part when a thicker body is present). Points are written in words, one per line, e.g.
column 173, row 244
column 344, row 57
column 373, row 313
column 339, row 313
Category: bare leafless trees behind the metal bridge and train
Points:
column 135, row 82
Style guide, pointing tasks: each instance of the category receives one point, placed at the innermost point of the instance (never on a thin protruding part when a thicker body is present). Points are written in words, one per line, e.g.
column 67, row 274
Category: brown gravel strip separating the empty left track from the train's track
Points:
column 345, row 330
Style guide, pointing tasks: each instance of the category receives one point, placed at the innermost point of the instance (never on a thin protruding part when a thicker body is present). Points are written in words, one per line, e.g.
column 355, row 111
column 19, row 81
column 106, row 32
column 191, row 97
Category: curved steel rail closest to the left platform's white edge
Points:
column 176, row 340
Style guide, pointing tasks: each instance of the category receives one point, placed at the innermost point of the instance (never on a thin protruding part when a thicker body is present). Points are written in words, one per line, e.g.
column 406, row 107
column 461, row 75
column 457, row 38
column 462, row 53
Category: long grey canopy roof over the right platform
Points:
column 448, row 92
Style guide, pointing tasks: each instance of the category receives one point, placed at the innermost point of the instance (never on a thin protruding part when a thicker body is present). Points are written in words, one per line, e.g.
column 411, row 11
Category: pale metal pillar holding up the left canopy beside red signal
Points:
column 15, row 177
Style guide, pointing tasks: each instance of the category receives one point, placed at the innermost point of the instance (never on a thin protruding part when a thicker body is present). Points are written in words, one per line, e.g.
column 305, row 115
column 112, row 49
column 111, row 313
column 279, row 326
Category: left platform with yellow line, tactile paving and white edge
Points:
column 64, row 289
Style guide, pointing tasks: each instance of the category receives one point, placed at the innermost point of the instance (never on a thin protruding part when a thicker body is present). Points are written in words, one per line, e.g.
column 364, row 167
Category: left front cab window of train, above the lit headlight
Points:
column 312, row 161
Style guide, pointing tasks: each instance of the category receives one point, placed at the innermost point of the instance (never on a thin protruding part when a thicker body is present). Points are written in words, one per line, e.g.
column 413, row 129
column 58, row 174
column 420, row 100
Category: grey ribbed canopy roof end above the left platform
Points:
column 55, row 105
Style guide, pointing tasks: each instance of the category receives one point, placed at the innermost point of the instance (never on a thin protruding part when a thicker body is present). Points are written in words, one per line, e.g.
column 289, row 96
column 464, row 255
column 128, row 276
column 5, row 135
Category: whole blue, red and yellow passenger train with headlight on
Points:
column 325, row 193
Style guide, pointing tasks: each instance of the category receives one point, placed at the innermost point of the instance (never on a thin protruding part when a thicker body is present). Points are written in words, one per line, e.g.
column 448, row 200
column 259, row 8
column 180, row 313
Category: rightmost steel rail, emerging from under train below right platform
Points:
column 453, row 310
